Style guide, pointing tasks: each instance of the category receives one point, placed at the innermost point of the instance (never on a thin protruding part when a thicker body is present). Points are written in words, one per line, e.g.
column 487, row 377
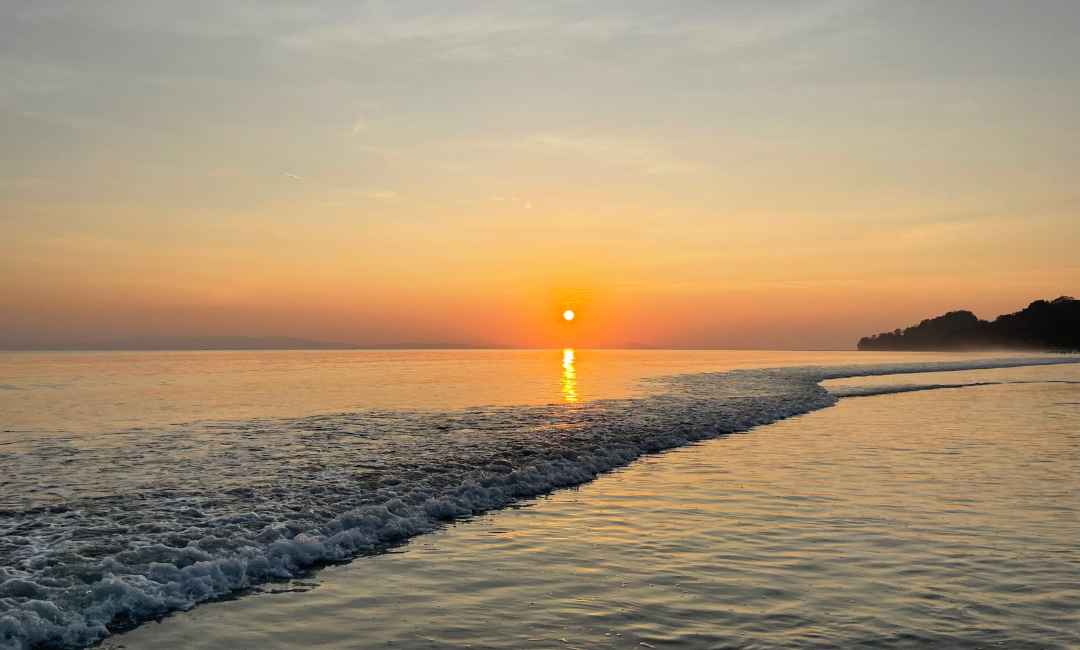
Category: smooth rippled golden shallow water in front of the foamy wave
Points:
column 936, row 519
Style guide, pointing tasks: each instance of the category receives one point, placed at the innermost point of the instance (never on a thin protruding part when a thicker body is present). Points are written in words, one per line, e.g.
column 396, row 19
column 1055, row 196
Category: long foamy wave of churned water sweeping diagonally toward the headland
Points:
column 100, row 539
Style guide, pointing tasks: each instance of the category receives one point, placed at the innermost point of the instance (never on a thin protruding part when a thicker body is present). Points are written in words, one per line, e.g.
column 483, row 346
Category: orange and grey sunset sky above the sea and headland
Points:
column 789, row 174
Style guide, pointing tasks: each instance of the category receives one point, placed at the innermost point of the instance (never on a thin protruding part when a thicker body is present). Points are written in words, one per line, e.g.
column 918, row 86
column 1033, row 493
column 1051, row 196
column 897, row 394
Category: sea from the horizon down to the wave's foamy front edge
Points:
column 105, row 529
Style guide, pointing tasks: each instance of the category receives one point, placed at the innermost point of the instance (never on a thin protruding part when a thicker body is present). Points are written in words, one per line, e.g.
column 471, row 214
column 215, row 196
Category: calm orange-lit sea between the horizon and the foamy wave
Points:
column 96, row 392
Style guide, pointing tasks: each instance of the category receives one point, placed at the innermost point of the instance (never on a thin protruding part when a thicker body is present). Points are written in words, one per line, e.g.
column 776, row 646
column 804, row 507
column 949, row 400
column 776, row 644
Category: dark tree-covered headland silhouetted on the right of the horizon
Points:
column 1052, row 326
